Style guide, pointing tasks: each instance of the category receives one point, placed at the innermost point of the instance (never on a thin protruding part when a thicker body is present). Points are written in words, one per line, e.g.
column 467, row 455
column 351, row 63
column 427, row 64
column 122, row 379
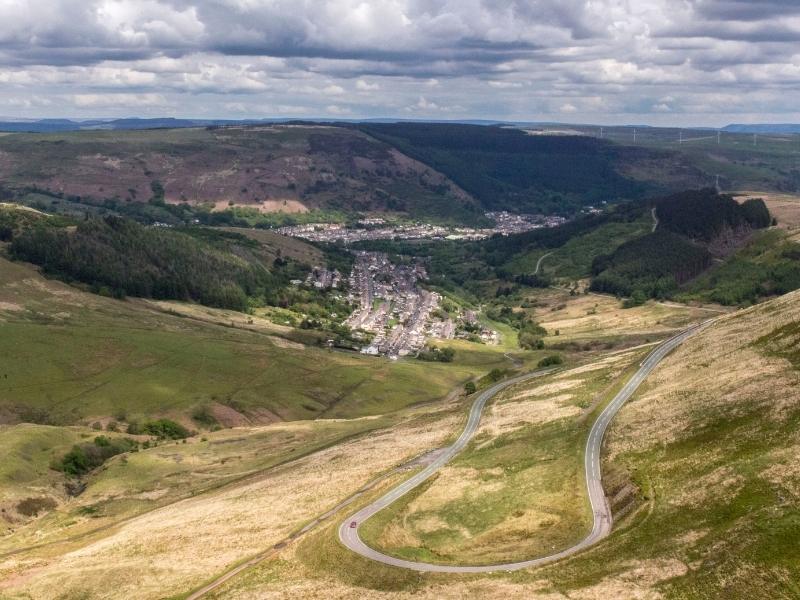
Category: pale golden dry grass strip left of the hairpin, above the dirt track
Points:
column 173, row 549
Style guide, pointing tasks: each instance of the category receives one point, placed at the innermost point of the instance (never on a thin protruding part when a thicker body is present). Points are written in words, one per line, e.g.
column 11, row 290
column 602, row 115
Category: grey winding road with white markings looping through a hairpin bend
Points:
column 601, row 511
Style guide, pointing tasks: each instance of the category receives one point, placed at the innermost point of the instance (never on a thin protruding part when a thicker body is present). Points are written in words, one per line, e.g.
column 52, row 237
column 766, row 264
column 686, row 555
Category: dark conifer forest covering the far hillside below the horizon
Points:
column 508, row 169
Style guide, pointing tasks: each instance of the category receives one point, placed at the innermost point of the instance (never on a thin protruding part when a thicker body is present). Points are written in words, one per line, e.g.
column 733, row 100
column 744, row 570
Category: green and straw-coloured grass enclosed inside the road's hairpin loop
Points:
column 517, row 491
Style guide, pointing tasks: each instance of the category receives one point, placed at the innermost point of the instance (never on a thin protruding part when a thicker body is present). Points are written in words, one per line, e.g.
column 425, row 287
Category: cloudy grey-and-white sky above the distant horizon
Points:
column 658, row 62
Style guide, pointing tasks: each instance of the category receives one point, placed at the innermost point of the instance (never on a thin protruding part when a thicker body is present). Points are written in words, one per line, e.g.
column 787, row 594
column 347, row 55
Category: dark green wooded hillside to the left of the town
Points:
column 119, row 257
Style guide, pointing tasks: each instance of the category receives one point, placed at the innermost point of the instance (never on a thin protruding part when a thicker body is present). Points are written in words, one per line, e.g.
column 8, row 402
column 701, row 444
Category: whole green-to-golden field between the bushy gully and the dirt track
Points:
column 107, row 549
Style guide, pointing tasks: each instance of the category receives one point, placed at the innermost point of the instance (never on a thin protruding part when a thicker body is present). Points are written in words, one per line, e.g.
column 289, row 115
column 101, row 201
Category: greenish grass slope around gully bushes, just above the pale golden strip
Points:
column 145, row 480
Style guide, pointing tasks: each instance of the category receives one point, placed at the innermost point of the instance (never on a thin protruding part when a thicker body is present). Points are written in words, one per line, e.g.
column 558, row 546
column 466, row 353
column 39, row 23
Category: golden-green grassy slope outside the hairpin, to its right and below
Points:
column 710, row 443
